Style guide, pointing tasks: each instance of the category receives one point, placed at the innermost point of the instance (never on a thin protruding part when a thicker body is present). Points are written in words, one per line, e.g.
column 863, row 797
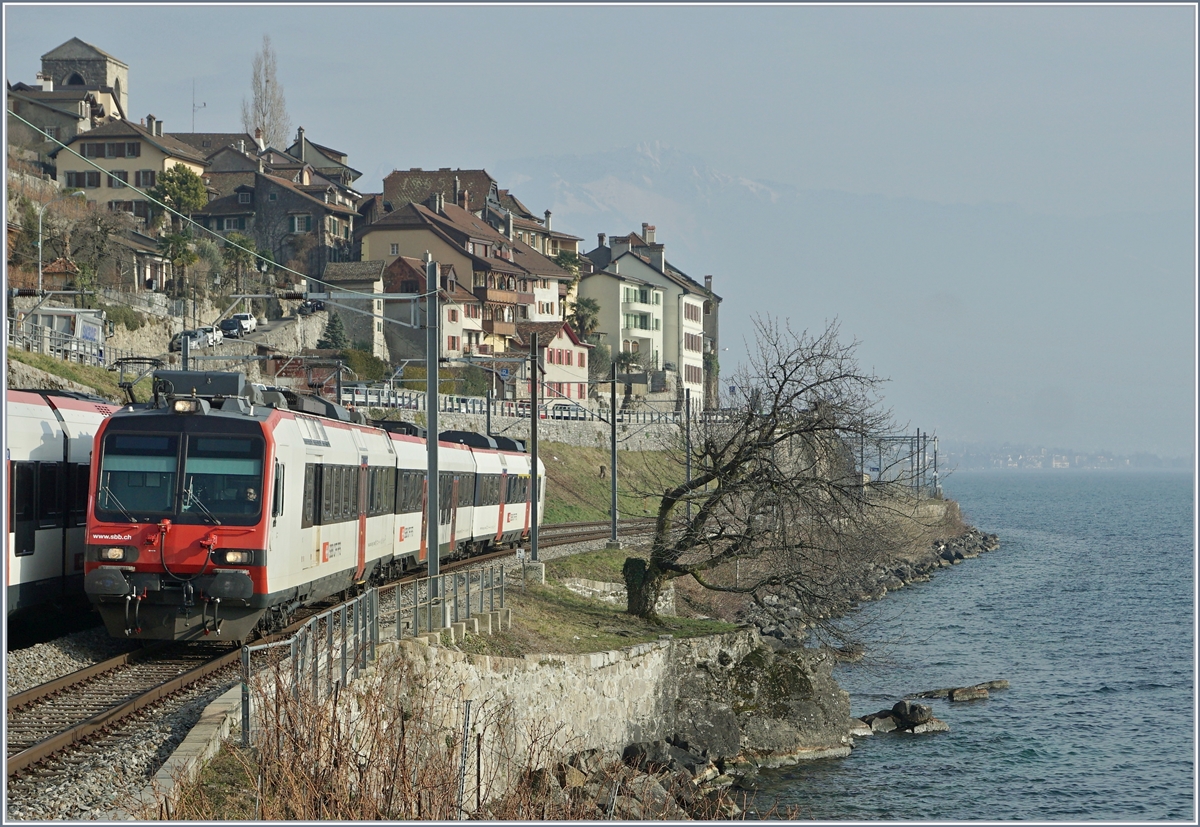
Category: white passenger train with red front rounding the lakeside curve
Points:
column 220, row 508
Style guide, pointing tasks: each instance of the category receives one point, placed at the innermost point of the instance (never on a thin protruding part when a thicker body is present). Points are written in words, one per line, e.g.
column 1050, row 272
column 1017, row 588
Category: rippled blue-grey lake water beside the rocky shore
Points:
column 1088, row 610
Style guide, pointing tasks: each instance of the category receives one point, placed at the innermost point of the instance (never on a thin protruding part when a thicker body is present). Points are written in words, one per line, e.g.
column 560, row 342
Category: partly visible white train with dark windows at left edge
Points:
column 49, row 459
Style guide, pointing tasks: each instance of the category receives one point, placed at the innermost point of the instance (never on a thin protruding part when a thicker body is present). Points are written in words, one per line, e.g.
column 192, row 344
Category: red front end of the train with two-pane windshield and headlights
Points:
column 177, row 532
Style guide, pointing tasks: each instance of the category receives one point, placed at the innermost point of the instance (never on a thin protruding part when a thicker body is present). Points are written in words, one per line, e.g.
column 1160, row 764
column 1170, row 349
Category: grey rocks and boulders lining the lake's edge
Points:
column 777, row 705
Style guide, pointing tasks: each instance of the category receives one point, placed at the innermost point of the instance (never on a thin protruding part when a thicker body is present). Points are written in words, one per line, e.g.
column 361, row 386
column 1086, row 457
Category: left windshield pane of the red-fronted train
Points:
column 137, row 477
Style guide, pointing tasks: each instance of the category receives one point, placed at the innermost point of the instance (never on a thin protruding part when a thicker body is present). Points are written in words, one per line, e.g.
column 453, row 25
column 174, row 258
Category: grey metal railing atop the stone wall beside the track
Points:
column 343, row 642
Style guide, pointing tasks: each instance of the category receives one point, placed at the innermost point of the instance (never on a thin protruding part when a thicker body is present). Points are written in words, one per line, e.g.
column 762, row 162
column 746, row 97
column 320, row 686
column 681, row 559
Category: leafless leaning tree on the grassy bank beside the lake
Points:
column 777, row 500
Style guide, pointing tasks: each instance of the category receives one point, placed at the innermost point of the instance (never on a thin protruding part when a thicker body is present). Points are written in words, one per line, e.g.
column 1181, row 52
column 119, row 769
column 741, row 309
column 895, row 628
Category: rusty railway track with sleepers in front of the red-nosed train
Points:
column 57, row 715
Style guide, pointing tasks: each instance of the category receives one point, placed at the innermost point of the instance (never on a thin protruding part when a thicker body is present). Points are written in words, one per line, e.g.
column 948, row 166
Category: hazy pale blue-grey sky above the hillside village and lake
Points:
column 1078, row 121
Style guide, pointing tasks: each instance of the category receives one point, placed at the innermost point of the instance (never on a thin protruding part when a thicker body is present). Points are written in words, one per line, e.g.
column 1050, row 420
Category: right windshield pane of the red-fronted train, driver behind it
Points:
column 223, row 480
